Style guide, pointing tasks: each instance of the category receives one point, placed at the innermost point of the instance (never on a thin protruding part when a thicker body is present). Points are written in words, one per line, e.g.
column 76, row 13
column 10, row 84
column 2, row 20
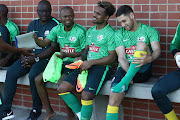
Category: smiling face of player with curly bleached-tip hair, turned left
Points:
column 99, row 16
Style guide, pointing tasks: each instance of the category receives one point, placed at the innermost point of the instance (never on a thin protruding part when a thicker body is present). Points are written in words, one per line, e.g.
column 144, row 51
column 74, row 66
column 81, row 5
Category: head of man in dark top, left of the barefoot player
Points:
column 44, row 12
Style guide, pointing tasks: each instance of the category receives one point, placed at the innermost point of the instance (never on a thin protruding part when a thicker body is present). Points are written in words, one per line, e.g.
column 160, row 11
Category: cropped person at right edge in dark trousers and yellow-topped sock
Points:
column 169, row 82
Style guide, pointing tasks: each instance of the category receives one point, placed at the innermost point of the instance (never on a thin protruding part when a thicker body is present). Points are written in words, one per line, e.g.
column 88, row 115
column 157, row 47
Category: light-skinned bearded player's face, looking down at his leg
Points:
column 126, row 21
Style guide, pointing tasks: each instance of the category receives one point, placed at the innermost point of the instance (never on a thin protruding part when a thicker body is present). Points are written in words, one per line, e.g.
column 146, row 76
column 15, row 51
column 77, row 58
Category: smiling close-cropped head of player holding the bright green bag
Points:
column 67, row 17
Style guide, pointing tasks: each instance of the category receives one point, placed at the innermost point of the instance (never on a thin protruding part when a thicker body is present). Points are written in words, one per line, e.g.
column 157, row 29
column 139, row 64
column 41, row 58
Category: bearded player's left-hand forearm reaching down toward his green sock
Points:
column 122, row 58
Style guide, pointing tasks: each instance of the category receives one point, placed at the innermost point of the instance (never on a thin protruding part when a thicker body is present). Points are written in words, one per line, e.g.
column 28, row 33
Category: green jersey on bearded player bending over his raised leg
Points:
column 129, row 39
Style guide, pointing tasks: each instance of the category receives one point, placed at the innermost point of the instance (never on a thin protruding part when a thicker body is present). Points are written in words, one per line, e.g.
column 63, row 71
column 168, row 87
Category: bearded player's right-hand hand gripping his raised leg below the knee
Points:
column 141, row 60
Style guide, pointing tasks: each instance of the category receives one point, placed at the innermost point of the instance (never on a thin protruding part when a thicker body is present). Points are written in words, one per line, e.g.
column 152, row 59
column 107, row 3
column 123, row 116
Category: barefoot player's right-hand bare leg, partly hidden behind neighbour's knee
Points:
column 70, row 114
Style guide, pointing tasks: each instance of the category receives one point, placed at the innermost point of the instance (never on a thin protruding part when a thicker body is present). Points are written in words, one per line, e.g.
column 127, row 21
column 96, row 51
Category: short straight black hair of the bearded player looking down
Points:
column 125, row 9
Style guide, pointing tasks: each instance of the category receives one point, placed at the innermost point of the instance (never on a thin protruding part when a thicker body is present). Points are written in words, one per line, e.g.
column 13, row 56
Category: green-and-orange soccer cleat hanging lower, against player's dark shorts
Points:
column 81, row 81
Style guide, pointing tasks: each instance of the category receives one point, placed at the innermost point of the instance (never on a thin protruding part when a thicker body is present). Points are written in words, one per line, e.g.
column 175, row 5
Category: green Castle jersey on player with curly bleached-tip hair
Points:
column 100, row 42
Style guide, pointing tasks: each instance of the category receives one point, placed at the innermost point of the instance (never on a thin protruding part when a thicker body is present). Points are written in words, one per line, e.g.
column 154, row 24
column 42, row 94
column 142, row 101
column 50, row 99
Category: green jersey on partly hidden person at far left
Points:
column 13, row 30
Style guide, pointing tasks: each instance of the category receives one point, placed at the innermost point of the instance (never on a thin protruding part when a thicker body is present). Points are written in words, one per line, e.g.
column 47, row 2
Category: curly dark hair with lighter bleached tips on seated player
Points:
column 109, row 8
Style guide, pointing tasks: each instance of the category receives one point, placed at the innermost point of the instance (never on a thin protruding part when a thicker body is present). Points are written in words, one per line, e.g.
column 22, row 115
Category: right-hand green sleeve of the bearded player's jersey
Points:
column 154, row 35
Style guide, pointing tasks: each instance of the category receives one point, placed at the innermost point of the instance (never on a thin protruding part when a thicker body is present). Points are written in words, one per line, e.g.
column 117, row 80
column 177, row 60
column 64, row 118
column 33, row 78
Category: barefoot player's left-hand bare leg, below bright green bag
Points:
column 43, row 94
